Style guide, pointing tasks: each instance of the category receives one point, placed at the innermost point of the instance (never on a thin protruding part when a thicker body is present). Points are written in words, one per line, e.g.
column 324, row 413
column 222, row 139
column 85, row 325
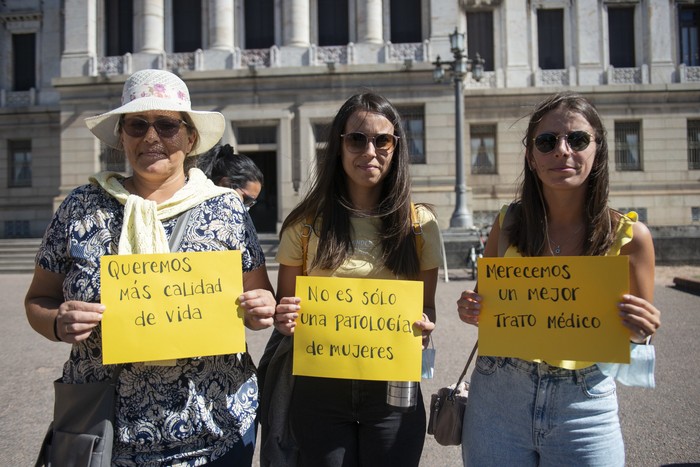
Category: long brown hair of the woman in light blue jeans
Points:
column 529, row 231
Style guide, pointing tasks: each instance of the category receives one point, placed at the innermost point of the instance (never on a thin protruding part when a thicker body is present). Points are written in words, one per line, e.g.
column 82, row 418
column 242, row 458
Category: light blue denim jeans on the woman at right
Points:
column 532, row 414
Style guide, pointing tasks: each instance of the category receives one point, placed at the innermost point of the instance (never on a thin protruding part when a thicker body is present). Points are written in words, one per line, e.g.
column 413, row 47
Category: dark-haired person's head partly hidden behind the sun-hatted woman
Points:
column 236, row 171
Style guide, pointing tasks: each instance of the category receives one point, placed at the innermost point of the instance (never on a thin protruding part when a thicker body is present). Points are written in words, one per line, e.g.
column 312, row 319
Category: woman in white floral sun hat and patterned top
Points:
column 189, row 411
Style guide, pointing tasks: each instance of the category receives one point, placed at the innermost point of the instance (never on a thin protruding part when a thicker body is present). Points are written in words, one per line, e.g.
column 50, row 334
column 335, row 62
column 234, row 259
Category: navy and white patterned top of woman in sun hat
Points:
column 187, row 414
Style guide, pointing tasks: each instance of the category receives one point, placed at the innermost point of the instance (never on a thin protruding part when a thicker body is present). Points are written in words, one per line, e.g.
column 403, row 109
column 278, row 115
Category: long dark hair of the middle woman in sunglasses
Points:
column 328, row 205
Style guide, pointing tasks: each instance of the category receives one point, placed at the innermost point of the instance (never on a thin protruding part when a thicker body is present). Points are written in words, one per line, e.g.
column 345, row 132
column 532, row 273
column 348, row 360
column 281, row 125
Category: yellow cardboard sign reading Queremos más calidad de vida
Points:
column 173, row 305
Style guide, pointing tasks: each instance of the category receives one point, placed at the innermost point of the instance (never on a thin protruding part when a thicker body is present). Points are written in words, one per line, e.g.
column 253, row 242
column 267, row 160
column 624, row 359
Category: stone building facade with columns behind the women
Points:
column 279, row 70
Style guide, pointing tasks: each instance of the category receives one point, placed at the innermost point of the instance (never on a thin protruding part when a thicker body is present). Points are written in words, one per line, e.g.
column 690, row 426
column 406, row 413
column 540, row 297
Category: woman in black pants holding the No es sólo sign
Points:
column 359, row 207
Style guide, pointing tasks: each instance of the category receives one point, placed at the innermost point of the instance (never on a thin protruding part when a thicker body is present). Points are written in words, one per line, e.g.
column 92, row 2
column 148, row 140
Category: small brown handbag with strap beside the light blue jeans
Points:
column 447, row 409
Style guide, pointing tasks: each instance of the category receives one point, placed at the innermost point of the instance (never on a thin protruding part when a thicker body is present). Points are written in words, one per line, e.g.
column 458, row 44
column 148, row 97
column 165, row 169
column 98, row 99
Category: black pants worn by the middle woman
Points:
column 347, row 423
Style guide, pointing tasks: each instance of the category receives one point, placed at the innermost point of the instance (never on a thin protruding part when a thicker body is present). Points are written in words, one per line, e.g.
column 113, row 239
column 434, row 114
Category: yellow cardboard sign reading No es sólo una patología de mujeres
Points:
column 358, row 329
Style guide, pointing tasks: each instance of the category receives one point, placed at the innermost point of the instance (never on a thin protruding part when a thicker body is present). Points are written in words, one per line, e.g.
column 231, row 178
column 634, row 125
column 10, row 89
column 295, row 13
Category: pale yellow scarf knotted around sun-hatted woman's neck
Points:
column 142, row 230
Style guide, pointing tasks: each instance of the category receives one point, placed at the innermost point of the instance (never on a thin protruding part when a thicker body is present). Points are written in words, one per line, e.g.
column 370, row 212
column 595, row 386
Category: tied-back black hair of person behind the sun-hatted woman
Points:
column 221, row 162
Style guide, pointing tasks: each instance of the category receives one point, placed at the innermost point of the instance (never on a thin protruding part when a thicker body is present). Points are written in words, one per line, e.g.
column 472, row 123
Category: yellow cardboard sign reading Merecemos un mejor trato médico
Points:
column 554, row 308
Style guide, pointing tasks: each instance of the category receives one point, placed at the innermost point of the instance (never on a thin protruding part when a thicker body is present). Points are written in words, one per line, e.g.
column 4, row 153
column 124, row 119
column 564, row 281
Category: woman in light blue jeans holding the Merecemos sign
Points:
column 530, row 413
